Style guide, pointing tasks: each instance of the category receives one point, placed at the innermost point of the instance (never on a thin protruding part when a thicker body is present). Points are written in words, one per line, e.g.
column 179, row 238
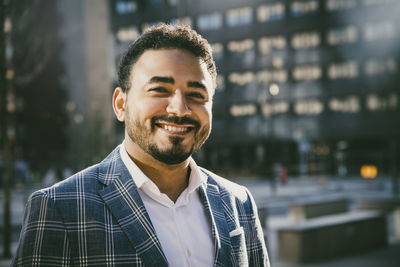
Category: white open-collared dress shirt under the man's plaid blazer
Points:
column 182, row 227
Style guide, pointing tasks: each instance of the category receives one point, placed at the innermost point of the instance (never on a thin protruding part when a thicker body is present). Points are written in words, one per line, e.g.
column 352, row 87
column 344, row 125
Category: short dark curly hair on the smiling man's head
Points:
column 165, row 36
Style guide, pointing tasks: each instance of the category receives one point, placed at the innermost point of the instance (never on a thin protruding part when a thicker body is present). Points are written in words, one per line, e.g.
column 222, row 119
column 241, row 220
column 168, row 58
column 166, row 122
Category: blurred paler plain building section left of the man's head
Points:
column 88, row 59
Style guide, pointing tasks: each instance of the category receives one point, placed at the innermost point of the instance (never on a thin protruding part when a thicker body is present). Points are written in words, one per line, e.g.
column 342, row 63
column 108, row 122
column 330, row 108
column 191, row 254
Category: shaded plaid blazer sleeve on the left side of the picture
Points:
column 43, row 240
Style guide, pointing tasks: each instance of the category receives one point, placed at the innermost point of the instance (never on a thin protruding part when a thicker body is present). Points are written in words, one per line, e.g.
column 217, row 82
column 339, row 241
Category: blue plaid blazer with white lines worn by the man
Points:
column 97, row 218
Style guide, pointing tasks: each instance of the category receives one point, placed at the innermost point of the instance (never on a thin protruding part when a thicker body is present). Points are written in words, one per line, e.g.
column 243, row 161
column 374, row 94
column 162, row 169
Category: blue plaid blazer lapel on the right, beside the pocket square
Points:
column 212, row 202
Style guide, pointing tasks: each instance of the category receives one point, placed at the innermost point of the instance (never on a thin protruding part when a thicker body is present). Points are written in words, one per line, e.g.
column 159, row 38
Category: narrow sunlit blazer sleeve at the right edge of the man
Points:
column 257, row 250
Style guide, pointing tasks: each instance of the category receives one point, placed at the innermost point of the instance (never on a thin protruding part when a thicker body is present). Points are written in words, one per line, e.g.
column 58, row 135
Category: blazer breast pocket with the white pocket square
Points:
column 239, row 251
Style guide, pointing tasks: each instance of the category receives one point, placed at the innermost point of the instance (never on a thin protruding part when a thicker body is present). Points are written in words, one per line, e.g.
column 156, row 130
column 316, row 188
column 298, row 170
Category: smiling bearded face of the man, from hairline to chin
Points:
column 168, row 107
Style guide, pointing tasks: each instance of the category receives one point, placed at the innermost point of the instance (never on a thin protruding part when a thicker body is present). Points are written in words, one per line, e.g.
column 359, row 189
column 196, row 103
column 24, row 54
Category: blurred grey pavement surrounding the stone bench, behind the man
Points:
column 278, row 199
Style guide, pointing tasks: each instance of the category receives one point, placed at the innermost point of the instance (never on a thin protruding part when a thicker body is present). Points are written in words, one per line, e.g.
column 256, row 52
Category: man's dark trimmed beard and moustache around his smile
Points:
column 141, row 135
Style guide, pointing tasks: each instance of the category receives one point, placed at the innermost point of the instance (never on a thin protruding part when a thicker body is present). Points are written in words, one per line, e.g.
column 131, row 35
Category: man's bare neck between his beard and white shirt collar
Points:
column 170, row 179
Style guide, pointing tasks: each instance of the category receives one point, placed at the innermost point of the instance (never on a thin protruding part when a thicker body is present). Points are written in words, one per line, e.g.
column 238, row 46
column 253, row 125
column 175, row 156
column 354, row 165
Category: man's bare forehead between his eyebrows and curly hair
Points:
column 176, row 63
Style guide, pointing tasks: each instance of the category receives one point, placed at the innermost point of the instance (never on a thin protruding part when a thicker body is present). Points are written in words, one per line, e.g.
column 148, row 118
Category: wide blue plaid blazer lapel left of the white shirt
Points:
column 124, row 202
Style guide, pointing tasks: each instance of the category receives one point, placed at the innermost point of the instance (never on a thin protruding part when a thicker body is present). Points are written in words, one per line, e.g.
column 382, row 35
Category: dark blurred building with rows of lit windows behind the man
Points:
column 308, row 84
